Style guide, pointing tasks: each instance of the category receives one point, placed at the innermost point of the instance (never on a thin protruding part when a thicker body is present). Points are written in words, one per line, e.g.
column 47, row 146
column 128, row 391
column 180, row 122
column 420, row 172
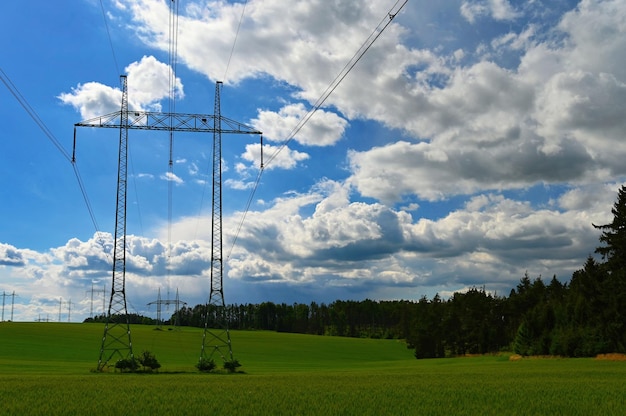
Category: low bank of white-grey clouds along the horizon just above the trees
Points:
column 349, row 246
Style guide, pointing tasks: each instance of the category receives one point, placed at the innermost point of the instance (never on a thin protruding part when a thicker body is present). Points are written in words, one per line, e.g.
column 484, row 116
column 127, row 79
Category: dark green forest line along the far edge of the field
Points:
column 584, row 317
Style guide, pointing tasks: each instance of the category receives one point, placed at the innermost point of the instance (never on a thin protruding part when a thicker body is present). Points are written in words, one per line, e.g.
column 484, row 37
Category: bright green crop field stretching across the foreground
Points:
column 45, row 369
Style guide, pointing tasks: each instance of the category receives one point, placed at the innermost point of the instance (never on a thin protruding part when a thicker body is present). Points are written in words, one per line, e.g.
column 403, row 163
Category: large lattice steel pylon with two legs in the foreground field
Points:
column 116, row 341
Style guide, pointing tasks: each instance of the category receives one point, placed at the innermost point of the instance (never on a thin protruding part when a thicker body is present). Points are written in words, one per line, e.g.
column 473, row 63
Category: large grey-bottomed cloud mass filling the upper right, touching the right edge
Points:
column 554, row 119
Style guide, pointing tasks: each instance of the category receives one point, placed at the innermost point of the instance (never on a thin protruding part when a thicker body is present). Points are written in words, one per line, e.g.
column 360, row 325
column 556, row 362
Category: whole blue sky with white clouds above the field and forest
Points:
column 474, row 142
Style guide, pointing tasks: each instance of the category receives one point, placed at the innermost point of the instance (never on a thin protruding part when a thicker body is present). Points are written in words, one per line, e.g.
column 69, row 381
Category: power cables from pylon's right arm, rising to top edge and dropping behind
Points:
column 380, row 28
